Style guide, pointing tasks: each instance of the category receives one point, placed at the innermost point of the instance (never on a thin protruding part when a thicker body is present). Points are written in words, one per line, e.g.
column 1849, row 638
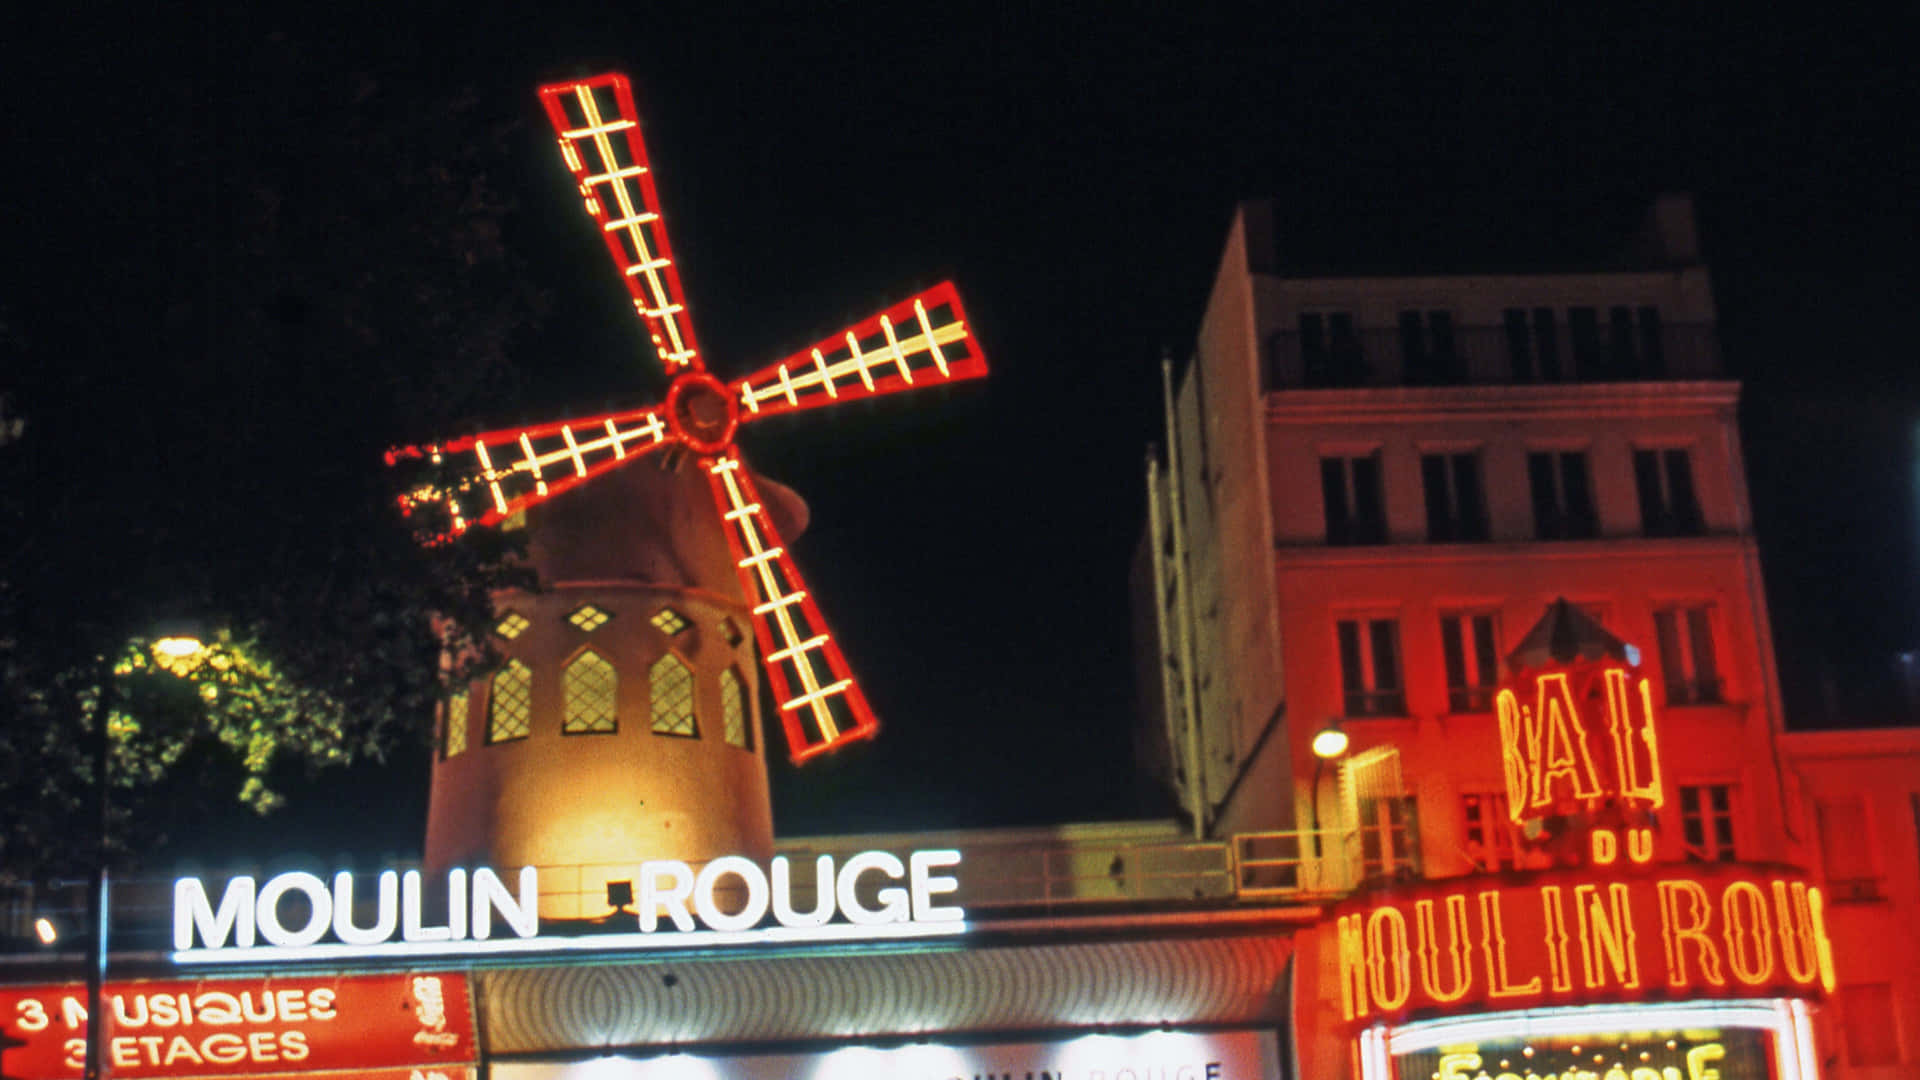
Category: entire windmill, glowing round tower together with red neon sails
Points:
column 621, row 725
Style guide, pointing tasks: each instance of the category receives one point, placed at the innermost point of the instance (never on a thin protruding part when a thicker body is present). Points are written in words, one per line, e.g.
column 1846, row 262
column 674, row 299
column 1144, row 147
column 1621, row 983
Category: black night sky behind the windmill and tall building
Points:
column 1074, row 172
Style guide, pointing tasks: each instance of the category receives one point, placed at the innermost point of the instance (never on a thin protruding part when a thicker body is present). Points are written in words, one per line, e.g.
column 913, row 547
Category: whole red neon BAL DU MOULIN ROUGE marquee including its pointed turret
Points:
column 1610, row 964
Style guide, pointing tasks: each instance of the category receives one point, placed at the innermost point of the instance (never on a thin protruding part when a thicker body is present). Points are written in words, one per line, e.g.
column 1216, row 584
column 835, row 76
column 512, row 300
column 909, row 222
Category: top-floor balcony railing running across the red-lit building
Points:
column 1485, row 356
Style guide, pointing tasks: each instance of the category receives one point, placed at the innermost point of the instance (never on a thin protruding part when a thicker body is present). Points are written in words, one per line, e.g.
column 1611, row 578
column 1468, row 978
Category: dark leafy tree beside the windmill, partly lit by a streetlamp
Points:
column 260, row 276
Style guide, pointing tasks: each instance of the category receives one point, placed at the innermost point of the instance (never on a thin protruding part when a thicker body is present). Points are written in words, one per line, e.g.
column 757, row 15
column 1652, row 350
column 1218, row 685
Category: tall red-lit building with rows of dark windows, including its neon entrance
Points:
column 1374, row 489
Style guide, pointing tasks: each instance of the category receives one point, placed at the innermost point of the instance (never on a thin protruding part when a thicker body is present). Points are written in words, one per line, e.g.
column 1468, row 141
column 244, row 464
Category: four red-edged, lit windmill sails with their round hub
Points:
column 923, row 341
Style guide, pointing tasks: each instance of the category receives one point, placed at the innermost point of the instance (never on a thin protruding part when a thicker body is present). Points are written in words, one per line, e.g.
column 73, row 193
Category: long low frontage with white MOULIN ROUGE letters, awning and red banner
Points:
column 838, row 966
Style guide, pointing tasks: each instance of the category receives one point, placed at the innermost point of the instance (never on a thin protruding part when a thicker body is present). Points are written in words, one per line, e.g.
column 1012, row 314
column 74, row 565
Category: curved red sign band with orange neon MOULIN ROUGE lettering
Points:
column 1556, row 939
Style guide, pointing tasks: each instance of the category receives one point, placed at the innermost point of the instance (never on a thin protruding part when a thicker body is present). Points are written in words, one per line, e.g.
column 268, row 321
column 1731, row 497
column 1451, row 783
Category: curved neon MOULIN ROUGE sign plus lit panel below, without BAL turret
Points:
column 1679, row 973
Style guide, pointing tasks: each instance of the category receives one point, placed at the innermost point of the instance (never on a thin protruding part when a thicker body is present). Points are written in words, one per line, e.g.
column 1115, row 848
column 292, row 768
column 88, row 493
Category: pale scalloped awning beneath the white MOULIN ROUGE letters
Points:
column 886, row 993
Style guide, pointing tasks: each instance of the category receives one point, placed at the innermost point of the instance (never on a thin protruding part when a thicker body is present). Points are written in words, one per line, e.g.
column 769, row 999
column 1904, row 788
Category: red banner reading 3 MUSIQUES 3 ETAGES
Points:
column 243, row 1027
